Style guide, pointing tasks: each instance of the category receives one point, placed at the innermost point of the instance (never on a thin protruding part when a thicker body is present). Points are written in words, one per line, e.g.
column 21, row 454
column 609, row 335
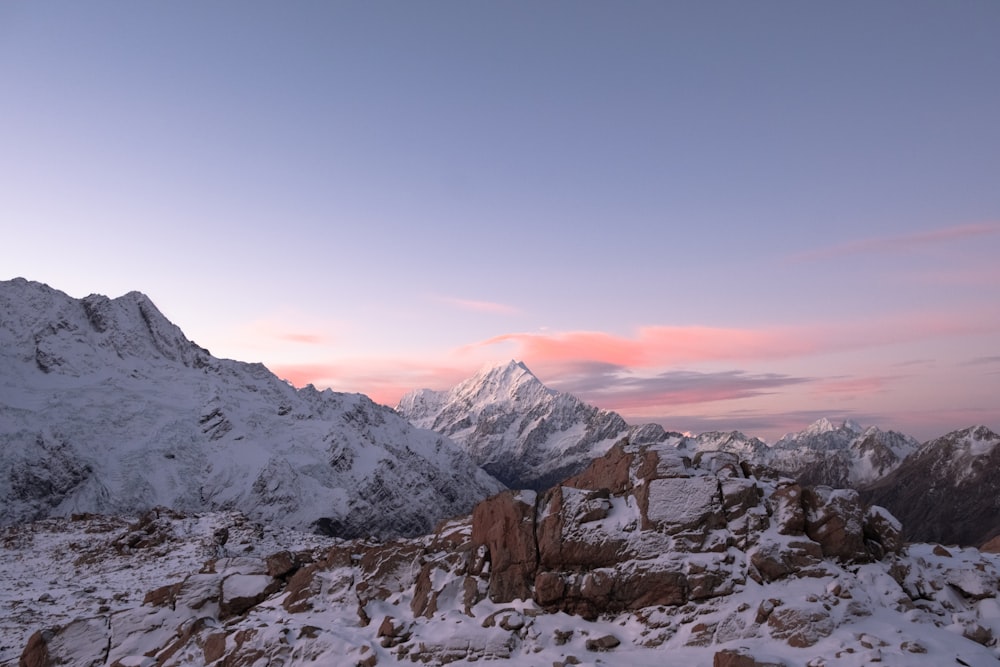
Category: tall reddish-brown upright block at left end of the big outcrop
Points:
column 505, row 523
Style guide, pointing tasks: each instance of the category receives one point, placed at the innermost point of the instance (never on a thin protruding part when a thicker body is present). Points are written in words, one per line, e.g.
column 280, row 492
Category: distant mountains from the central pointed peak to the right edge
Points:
column 530, row 436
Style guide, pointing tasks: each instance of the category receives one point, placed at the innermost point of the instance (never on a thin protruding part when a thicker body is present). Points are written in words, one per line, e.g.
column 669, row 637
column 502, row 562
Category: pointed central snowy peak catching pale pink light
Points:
column 520, row 431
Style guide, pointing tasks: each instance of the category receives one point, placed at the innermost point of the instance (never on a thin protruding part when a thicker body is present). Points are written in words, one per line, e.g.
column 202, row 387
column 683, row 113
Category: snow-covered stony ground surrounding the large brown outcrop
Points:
column 55, row 571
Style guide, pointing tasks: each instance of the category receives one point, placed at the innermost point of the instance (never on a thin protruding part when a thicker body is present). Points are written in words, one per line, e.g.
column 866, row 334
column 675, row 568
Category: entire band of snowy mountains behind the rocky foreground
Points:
column 105, row 406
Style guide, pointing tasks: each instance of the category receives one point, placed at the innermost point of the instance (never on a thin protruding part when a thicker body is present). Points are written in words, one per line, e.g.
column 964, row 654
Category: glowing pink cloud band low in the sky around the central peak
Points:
column 633, row 375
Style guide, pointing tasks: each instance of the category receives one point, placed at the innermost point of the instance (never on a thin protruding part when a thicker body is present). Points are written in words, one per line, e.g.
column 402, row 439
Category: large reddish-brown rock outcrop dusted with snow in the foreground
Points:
column 620, row 536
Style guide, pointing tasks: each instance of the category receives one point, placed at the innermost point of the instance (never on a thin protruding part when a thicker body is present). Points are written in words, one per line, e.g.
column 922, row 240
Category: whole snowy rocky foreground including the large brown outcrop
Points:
column 647, row 557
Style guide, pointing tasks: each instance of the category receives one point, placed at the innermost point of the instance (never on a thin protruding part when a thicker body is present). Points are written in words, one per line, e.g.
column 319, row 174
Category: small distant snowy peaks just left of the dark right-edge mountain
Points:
column 840, row 455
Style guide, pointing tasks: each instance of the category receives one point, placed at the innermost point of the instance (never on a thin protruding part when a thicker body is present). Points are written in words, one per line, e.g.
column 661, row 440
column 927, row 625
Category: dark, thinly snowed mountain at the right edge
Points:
column 948, row 490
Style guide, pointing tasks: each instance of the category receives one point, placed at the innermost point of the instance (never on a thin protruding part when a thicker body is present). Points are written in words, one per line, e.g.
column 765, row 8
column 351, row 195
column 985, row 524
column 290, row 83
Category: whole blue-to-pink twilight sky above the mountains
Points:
column 711, row 215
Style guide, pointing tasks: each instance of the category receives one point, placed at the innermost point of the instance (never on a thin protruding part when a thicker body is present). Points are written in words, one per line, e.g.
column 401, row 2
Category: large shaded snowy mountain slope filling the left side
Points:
column 105, row 406
